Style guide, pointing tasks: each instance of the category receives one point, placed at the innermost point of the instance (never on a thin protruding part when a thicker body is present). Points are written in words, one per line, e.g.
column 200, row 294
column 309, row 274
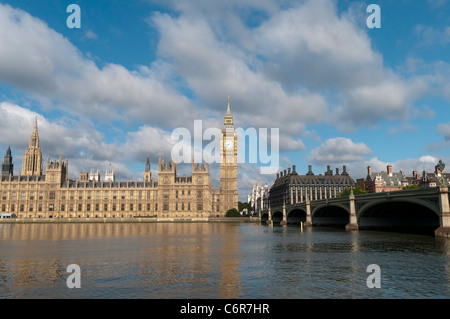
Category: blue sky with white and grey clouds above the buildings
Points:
column 110, row 93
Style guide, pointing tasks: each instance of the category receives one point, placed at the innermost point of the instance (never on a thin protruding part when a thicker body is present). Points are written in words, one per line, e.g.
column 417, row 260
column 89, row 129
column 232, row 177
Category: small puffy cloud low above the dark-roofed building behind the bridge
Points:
column 339, row 150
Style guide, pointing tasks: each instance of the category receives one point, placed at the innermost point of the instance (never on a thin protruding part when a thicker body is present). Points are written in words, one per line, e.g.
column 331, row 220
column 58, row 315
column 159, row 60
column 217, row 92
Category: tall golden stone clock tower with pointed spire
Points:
column 228, row 164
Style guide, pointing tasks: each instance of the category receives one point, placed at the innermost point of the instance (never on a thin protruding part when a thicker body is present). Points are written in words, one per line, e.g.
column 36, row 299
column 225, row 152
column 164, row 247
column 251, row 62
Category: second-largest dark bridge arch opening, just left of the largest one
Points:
column 336, row 215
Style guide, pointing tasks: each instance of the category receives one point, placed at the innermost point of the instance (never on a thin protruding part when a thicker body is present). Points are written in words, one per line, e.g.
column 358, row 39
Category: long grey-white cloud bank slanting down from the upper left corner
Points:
column 35, row 58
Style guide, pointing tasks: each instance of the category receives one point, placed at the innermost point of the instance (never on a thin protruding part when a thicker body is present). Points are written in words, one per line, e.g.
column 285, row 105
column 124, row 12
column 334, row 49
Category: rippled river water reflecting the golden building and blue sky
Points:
column 218, row 260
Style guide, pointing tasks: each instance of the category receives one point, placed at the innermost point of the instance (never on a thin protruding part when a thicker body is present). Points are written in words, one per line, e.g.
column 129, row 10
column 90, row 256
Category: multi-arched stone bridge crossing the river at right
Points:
column 423, row 209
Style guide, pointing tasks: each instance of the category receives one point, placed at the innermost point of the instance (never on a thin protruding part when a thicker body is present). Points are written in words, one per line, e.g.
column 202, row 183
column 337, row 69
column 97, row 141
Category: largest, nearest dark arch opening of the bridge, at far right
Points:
column 405, row 215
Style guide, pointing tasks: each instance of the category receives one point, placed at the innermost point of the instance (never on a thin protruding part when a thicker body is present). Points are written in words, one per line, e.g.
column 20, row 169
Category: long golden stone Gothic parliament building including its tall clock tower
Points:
column 38, row 193
